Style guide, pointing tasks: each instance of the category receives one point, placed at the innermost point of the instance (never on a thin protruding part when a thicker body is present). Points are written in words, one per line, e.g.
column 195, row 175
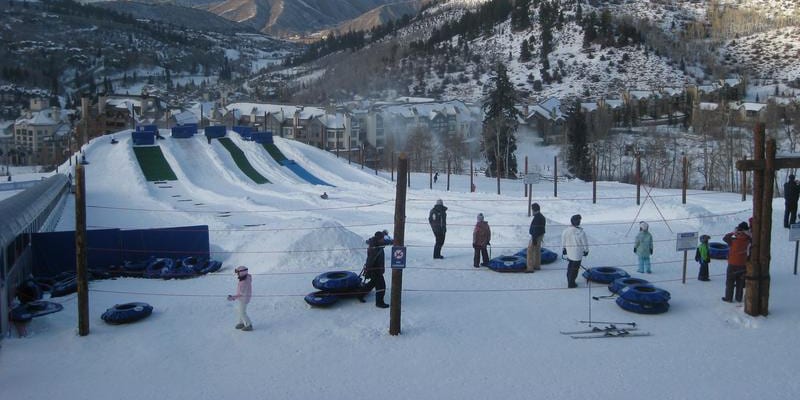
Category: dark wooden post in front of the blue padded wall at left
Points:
column 80, row 251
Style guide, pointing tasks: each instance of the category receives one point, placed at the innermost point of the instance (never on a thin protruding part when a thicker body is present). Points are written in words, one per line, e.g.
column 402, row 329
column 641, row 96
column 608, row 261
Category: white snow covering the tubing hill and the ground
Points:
column 466, row 332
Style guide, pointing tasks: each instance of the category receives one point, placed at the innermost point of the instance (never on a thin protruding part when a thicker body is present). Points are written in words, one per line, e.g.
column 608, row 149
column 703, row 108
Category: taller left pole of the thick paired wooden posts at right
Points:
column 752, row 296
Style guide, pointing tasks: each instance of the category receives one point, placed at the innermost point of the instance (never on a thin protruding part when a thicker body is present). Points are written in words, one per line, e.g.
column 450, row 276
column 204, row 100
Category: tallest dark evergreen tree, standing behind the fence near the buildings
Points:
column 500, row 124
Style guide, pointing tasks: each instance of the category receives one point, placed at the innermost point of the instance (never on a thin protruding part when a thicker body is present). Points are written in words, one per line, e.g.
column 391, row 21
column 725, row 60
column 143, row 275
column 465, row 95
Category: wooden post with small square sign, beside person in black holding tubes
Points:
column 399, row 240
